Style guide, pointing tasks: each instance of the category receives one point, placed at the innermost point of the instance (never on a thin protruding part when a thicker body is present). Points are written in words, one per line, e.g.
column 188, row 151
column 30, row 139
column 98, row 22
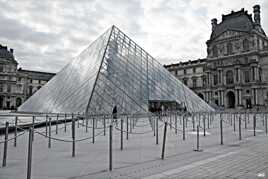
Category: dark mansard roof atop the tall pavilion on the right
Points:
column 236, row 21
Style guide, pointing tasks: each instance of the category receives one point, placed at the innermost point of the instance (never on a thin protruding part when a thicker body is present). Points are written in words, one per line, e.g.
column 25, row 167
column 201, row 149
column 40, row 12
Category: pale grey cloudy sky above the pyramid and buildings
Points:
column 46, row 34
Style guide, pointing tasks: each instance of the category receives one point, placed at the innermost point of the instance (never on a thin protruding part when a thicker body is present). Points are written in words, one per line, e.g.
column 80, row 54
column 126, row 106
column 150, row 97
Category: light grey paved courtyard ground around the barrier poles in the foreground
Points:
column 140, row 158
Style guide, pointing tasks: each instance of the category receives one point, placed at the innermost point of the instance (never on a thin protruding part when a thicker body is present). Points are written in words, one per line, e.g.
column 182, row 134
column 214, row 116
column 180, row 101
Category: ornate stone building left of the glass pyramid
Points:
column 17, row 85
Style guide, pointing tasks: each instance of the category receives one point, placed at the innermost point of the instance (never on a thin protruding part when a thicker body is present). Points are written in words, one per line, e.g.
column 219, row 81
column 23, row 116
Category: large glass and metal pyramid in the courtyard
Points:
column 112, row 71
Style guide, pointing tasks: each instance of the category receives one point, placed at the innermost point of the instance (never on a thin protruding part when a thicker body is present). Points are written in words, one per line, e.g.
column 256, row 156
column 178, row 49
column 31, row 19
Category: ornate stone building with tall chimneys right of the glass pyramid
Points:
column 235, row 72
